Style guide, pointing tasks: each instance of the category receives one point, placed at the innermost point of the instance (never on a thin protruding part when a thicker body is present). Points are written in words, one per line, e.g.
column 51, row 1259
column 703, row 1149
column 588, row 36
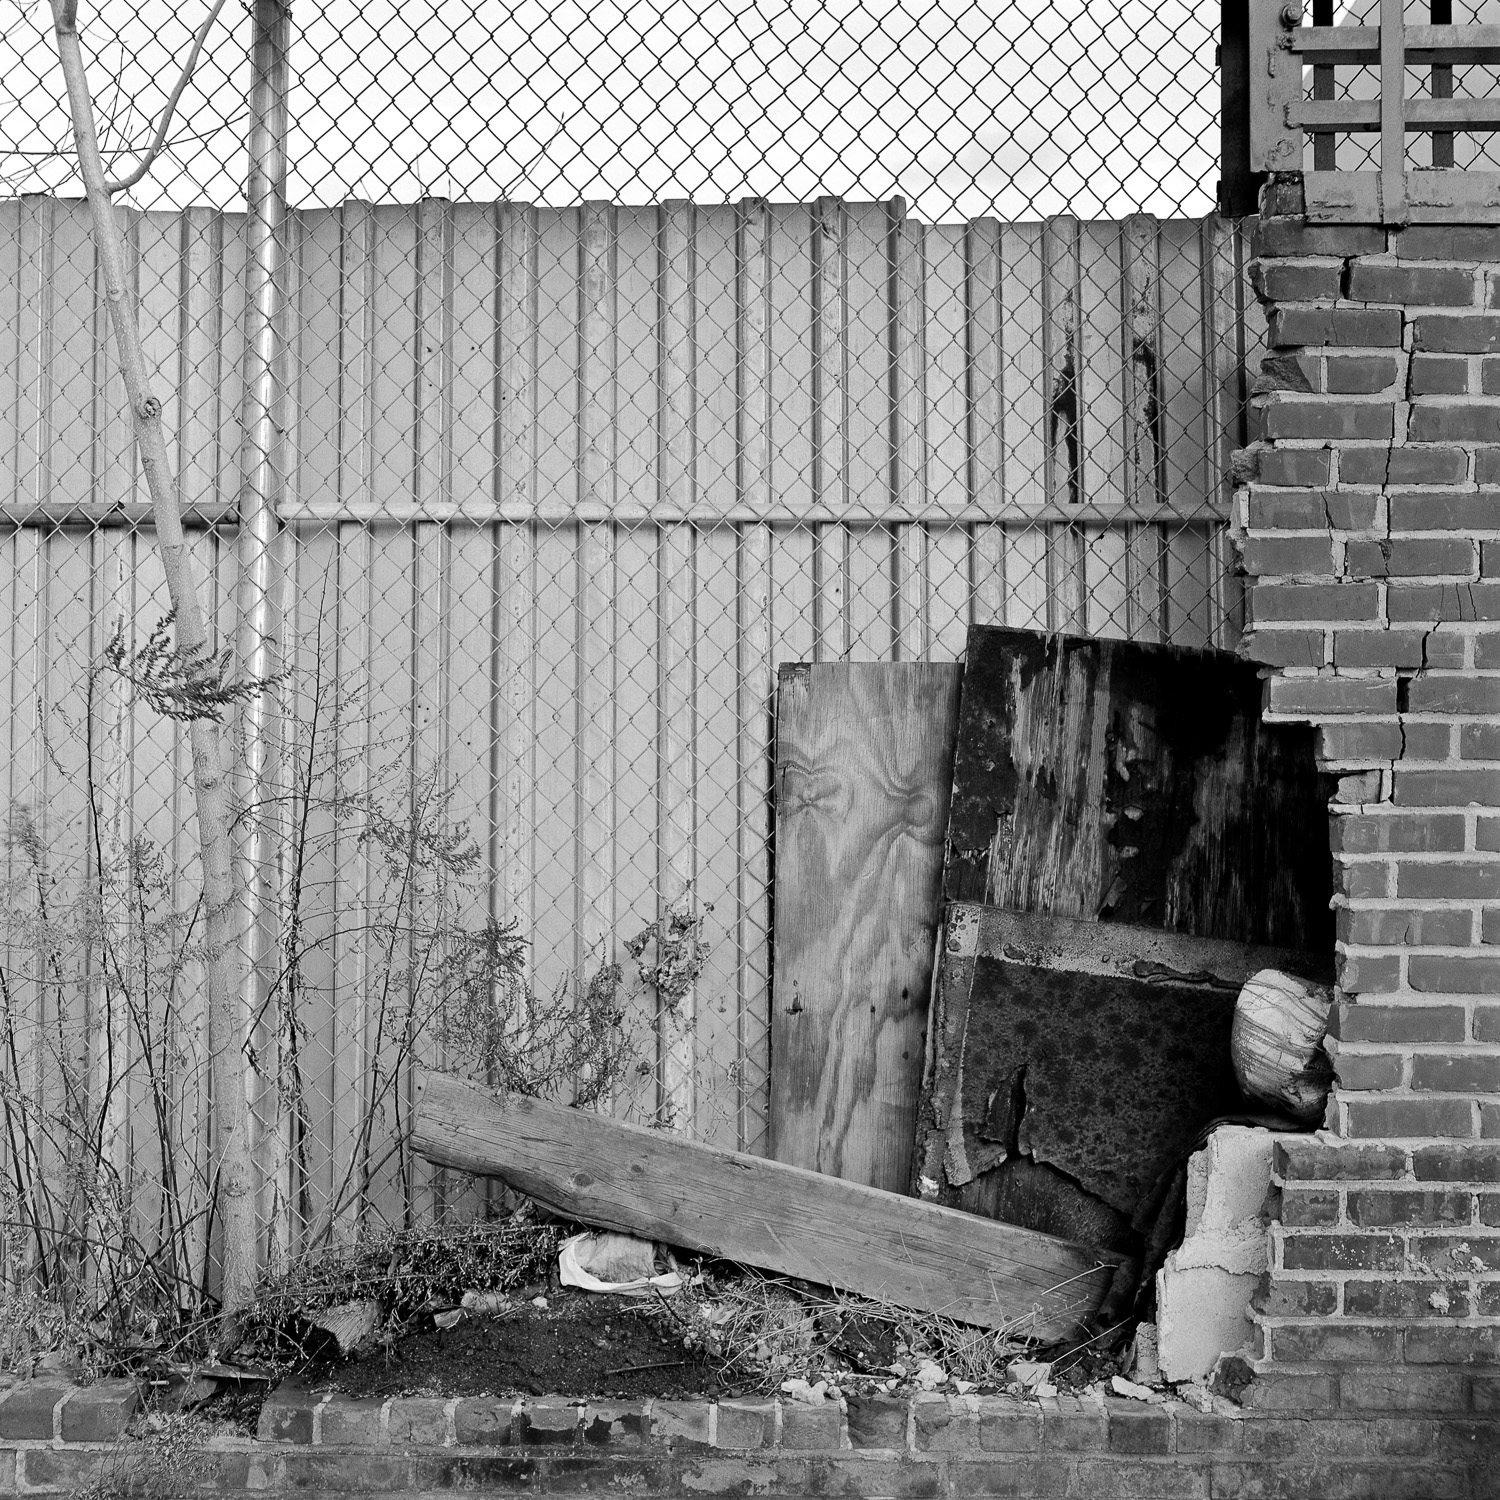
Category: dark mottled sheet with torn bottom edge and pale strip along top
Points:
column 1093, row 1049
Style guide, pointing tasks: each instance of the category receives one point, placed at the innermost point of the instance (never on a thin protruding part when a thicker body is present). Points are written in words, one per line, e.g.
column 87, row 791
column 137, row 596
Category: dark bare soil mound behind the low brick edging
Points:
column 578, row 1346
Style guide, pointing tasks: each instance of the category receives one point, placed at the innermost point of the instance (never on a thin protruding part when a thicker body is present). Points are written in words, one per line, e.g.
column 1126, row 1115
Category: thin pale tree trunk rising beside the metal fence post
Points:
column 232, row 1141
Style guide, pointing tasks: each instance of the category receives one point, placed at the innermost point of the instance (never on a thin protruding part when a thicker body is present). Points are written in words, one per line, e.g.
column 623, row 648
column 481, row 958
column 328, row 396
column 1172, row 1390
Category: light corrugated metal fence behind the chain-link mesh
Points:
column 563, row 487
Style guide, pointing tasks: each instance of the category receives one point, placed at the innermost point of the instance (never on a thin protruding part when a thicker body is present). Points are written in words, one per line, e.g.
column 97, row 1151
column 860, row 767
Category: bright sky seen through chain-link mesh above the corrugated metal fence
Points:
column 1016, row 109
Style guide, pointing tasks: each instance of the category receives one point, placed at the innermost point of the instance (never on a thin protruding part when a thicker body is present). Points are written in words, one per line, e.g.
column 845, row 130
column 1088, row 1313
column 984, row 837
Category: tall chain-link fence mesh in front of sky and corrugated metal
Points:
column 541, row 377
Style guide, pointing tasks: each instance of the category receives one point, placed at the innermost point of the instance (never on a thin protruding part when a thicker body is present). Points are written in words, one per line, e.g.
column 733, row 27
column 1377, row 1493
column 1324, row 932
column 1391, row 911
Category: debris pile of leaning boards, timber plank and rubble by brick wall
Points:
column 1042, row 925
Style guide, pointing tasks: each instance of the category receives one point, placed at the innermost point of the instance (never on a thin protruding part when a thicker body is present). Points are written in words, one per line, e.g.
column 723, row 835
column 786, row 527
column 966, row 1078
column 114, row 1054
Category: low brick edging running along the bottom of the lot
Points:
column 1324, row 1435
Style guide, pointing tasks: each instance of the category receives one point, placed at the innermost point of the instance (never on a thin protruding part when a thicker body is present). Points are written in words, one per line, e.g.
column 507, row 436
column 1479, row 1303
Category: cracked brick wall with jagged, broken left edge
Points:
column 1370, row 520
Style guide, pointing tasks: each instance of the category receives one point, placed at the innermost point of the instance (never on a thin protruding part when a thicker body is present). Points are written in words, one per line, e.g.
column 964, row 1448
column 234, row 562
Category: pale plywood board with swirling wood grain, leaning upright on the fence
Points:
column 863, row 766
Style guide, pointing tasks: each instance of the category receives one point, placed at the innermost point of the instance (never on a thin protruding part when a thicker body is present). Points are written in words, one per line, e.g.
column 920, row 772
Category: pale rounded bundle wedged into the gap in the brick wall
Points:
column 1277, row 1043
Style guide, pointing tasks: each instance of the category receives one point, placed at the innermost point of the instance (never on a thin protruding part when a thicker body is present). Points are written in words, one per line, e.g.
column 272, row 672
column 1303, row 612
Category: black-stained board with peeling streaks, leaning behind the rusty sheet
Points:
column 1127, row 782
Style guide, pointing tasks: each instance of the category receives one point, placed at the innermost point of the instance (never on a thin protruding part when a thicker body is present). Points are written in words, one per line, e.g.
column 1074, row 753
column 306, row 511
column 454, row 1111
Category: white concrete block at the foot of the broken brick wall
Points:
column 1204, row 1288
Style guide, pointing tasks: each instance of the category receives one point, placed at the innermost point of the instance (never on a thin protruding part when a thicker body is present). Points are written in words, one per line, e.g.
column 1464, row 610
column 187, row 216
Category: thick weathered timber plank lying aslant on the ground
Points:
column 763, row 1213
